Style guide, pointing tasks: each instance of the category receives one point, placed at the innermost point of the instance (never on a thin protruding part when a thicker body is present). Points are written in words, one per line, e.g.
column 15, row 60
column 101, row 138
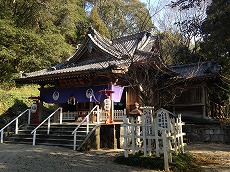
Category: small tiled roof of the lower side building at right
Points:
column 194, row 70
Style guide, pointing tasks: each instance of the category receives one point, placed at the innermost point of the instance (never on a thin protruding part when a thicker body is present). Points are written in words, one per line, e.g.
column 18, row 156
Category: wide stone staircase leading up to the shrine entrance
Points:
column 60, row 135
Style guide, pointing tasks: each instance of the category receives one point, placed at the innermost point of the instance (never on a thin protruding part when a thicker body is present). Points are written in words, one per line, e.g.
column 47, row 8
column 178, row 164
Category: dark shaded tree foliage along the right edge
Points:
column 216, row 45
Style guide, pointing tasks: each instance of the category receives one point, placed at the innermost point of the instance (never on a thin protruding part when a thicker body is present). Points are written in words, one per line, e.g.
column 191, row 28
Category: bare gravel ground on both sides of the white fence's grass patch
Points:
column 28, row 158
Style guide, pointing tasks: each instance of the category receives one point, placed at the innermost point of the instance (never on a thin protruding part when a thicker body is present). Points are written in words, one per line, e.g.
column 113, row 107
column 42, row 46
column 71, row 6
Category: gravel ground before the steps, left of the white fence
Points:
column 28, row 158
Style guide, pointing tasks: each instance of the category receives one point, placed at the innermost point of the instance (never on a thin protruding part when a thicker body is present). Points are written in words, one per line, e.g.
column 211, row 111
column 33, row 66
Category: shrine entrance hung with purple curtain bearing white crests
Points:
column 77, row 102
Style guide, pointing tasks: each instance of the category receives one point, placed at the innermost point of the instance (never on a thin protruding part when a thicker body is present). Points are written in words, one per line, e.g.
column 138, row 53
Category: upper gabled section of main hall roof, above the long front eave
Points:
column 119, row 47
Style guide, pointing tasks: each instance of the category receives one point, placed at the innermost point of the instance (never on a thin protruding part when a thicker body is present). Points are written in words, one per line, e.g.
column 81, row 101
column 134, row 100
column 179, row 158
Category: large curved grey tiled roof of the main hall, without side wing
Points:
column 119, row 50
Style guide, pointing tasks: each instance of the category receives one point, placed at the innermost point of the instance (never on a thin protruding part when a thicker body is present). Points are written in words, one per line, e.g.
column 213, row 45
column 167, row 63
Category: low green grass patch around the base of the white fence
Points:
column 181, row 163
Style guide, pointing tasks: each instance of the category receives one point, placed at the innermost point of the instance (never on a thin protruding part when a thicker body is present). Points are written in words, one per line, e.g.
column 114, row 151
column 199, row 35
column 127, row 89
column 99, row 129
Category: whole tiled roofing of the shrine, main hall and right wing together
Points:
column 120, row 52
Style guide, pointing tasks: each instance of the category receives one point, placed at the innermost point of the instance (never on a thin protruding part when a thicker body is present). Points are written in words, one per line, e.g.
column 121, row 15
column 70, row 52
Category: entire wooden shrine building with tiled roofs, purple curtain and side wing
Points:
column 93, row 82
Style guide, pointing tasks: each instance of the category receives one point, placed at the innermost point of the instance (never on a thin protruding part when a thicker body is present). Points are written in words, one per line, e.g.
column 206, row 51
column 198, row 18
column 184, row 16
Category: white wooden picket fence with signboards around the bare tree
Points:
column 154, row 133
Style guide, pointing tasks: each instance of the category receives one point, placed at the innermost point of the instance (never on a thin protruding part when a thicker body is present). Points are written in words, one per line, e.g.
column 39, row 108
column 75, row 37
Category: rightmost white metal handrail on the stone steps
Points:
column 87, row 124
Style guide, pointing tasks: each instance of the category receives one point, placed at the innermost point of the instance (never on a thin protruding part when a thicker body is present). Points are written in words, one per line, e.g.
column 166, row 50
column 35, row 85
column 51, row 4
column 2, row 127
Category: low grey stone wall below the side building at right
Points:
column 207, row 133
